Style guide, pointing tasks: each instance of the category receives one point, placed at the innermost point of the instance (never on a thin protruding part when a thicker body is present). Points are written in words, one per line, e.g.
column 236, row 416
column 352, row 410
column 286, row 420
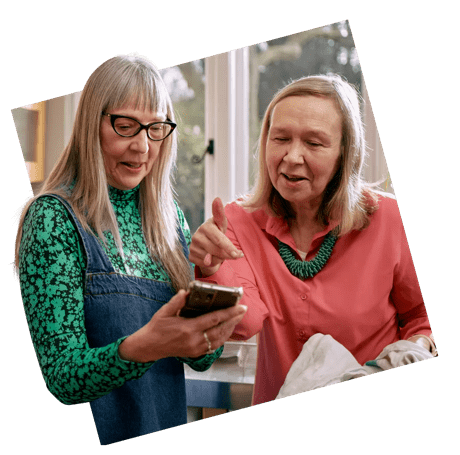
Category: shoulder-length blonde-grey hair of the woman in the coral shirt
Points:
column 347, row 198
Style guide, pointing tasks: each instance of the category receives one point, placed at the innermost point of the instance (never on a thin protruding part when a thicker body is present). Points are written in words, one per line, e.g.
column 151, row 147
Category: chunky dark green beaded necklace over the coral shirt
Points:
column 307, row 269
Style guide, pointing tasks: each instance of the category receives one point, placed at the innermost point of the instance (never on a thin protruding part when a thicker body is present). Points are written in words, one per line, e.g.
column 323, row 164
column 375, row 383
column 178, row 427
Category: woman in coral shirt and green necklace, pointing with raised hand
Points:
column 316, row 249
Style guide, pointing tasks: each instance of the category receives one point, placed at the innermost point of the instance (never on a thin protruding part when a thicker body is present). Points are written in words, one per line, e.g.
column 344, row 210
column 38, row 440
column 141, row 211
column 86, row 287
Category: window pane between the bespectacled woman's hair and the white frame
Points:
column 185, row 84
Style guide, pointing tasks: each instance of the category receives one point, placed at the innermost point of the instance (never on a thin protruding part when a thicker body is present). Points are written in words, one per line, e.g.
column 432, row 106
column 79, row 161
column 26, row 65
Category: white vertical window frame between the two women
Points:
column 227, row 123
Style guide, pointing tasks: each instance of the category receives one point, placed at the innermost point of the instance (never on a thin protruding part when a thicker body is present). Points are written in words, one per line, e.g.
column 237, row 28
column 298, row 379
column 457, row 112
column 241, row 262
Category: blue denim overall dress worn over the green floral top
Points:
column 115, row 306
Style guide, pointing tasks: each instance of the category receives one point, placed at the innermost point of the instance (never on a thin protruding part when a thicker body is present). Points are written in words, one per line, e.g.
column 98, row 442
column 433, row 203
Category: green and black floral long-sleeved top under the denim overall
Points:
column 51, row 269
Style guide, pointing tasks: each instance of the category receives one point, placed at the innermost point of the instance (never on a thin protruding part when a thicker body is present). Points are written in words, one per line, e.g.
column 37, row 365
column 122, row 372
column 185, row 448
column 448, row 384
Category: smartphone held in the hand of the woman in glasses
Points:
column 207, row 297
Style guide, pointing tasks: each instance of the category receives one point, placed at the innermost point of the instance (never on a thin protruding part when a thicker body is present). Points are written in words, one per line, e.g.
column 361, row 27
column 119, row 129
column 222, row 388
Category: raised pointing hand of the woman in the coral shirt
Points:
column 210, row 246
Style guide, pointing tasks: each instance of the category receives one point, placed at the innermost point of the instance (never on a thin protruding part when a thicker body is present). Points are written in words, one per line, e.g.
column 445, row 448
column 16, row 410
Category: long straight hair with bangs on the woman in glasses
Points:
column 79, row 175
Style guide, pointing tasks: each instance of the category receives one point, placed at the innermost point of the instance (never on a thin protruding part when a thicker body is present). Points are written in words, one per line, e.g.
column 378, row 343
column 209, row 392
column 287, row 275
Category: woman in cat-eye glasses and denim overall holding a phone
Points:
column 102, row 259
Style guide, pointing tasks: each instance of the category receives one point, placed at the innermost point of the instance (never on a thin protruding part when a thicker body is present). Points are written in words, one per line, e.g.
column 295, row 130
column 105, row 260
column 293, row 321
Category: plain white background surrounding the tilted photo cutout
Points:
column 407, row 55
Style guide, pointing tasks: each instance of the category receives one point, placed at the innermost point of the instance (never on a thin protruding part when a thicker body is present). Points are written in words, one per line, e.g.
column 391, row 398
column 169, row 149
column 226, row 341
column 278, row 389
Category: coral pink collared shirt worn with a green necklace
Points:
column 366, row 296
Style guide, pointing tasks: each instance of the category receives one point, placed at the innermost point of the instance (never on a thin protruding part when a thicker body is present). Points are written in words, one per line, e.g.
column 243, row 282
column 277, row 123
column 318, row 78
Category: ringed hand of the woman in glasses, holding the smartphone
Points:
column 170, row 335
